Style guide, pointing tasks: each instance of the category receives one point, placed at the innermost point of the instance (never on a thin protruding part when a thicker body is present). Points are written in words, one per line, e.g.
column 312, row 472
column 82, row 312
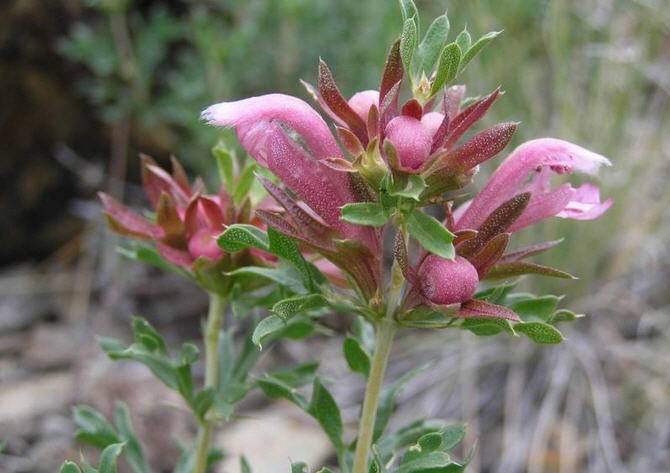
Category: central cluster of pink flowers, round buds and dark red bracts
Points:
column 388, row 145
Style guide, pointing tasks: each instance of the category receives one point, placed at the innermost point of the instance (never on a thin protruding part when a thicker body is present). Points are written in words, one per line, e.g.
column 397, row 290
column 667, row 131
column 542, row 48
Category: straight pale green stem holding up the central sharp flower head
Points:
column 385, row 332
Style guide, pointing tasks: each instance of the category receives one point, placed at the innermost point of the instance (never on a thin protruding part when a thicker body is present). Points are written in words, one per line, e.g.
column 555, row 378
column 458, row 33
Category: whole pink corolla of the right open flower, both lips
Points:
column 540, row 156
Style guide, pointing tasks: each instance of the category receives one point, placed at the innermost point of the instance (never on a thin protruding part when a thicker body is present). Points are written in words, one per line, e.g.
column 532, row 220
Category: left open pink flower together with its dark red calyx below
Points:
column 288, row 137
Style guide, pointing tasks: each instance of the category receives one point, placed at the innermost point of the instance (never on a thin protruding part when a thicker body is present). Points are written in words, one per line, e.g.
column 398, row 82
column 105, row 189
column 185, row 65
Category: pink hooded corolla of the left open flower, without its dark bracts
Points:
column 267, row 127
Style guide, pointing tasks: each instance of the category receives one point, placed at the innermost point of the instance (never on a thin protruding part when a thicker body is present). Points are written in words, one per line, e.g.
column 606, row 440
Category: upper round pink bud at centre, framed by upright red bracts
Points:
column 411, row 139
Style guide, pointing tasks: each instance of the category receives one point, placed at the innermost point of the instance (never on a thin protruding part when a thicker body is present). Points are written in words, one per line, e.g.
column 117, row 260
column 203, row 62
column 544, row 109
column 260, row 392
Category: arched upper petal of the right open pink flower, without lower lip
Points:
column 539, row 156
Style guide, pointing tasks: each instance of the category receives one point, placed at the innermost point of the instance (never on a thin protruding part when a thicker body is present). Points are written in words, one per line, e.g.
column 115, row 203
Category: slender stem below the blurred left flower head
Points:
column 217, row 308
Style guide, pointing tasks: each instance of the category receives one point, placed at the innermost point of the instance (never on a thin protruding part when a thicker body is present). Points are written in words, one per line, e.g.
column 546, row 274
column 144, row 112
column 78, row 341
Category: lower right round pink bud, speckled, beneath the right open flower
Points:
column 446, row 281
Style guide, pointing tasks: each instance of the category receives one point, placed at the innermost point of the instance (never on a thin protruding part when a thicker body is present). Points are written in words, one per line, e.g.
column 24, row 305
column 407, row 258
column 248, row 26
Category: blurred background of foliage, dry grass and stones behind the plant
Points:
column 85, row 85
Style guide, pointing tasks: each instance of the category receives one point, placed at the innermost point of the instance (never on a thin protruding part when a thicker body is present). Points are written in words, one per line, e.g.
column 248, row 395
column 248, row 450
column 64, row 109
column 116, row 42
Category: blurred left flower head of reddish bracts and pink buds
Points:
column 187, row 220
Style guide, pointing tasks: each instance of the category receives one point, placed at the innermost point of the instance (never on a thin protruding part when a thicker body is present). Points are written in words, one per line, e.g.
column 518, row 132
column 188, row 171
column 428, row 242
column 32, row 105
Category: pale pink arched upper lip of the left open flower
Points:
column 253, row 116
